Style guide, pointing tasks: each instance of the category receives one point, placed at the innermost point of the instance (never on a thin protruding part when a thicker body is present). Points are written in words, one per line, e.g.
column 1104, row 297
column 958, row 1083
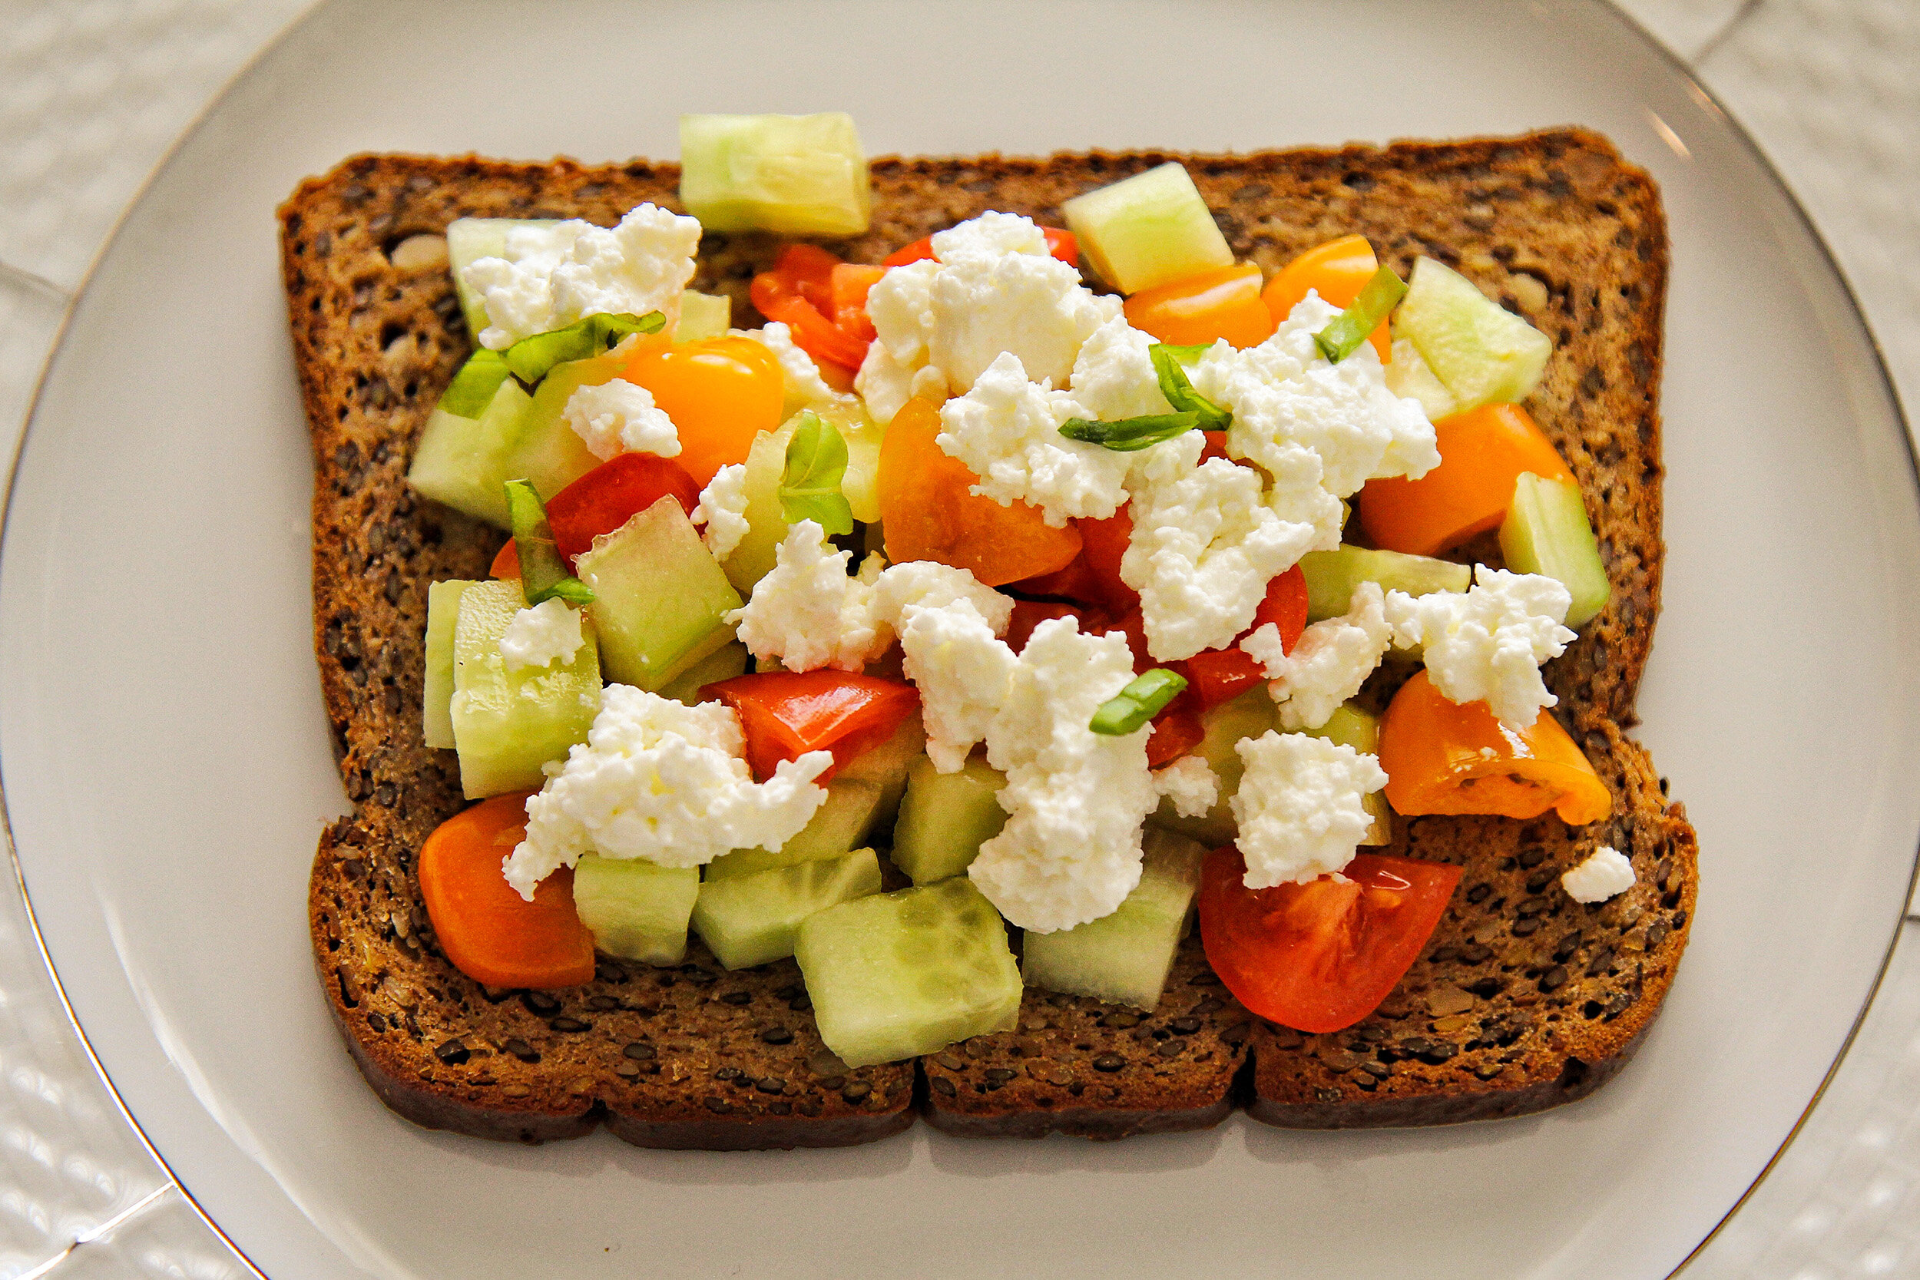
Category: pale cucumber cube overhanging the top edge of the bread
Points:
column 794, row 176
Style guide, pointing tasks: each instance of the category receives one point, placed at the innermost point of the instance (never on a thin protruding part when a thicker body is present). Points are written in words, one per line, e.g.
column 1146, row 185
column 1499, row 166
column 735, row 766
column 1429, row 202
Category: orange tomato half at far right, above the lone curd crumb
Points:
column 1456, row 759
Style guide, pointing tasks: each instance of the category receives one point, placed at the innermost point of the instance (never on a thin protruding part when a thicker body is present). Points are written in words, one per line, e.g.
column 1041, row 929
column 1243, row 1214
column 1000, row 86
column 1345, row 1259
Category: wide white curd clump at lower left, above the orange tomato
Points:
column 663, row 782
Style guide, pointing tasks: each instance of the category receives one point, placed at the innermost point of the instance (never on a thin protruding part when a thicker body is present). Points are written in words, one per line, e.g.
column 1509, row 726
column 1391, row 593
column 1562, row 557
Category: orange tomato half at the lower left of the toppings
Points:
column 483, row 924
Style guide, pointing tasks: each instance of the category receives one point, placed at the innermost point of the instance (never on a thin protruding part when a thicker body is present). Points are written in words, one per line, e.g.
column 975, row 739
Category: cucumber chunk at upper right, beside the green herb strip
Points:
column 1479, row 350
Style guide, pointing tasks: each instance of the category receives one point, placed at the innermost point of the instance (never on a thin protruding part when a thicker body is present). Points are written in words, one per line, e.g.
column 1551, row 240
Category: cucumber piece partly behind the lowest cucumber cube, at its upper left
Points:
column 752, row 920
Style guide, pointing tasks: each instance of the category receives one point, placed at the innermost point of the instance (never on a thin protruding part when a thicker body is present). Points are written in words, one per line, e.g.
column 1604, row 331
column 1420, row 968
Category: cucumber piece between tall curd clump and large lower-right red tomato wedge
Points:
column 1124, row 959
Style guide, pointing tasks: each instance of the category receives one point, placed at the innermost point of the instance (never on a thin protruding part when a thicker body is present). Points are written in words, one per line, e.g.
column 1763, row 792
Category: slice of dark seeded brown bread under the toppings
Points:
column 696, row 1058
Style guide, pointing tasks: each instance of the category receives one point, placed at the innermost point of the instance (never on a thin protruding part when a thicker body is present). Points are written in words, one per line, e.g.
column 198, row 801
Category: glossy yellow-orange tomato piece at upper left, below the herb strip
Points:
column 721, row 392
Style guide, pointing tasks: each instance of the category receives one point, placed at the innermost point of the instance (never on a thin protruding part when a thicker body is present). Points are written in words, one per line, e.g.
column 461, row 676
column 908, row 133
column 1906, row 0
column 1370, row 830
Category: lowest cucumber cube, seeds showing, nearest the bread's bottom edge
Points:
column 903, row 974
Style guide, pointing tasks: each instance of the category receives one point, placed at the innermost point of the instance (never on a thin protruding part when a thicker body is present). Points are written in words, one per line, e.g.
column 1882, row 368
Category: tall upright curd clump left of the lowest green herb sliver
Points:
column 1076, row 799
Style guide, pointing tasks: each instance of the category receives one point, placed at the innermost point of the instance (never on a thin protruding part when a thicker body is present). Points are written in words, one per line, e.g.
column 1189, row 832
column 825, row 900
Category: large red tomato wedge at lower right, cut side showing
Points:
column 1320, row 957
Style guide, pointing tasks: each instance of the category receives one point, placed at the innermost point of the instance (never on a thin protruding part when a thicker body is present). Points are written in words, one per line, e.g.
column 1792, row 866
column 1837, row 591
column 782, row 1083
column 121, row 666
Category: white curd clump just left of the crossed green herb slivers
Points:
column 1007, row 431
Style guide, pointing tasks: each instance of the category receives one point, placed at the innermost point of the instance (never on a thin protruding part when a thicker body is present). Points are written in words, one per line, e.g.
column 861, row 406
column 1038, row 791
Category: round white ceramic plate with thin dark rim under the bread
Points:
column 168, row 767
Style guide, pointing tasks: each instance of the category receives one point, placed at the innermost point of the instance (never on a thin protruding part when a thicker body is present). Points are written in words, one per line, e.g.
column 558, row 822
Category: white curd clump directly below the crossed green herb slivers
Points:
column 1205, row 548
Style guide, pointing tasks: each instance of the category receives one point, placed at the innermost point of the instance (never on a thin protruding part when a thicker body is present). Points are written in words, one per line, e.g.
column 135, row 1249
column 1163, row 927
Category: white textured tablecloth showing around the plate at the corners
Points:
column 95, row 91
